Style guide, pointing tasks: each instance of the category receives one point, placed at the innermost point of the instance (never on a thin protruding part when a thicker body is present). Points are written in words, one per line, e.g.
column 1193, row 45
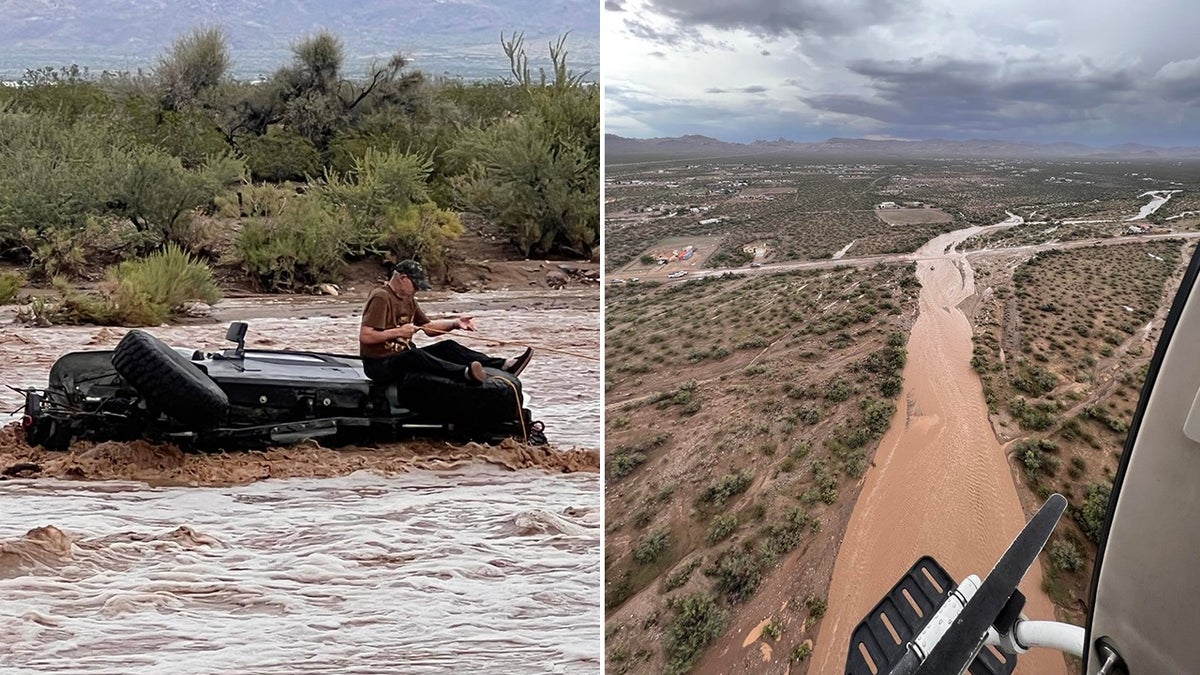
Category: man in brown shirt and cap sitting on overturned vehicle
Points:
column 391, row 320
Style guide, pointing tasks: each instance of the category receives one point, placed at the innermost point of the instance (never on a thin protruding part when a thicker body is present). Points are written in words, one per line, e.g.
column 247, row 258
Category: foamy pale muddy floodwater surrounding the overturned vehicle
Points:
column 435, row 560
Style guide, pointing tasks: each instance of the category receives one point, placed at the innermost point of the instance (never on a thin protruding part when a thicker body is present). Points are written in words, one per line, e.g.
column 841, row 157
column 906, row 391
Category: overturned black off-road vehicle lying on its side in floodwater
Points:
column 238, row 398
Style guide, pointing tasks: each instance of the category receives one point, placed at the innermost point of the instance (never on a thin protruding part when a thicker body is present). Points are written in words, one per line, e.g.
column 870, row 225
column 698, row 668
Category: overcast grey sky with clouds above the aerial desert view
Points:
column 1090, row 71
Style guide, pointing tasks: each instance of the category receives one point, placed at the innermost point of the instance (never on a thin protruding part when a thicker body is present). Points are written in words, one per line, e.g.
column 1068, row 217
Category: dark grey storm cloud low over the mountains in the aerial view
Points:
column 983, row 95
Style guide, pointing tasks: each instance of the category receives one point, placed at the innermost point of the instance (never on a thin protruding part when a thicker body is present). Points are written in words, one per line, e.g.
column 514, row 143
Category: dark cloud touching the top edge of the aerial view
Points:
column 782, row 17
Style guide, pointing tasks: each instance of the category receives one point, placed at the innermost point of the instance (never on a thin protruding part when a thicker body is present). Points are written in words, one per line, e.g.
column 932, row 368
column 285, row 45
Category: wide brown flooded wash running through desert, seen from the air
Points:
column 940, row 485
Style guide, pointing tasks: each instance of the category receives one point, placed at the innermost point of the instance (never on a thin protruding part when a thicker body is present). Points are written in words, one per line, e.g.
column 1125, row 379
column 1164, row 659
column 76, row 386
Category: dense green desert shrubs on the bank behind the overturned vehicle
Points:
column 291, row 177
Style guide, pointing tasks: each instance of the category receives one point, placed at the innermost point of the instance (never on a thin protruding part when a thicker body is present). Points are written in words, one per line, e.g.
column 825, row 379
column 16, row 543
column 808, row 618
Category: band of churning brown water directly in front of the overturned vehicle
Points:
column 160, row 464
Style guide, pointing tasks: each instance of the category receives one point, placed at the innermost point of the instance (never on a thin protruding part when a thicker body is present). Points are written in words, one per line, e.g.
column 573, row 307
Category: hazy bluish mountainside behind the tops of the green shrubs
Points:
column 454, row 37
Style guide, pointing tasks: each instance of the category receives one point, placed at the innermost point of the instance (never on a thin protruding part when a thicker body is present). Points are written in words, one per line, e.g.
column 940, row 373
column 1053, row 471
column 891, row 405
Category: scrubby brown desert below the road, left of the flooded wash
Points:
column 742, row 414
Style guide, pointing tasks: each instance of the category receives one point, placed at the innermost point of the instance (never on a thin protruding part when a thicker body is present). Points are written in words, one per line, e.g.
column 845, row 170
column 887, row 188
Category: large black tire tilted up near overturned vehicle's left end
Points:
column 169, row 381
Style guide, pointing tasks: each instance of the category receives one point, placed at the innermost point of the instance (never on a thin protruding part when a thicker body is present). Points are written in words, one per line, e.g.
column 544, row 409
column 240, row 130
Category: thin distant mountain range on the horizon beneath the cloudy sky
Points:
column 632, row 150
